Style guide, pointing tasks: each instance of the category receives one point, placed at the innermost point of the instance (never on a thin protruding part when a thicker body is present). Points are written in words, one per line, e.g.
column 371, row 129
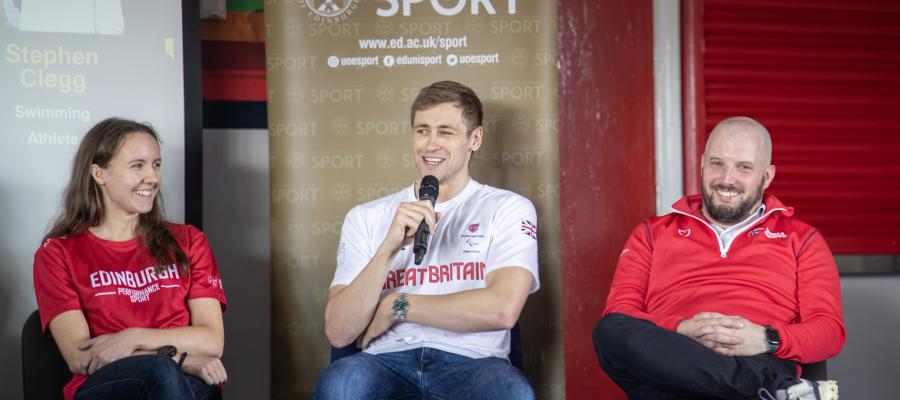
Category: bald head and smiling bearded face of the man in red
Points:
column 735, row 170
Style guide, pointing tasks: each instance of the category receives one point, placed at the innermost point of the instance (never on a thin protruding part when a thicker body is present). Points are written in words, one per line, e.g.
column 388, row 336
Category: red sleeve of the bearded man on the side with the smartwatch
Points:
column 819, row 334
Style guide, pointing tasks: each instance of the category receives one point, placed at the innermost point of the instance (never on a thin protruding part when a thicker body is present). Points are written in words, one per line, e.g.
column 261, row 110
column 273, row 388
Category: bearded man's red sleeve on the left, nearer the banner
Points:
column 628, row 292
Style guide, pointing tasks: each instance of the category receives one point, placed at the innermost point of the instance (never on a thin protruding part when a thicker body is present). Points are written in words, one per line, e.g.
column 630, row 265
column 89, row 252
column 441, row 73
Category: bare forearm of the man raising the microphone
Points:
column 350, row 308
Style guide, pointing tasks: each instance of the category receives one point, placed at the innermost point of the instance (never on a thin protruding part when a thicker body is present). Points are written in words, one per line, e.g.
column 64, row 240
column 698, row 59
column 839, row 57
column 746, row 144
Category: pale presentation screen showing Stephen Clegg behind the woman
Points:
column 64, row 66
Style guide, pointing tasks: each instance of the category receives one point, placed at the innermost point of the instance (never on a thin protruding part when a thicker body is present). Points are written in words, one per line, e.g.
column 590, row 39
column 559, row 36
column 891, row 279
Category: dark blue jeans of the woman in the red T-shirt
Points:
column 144, row 377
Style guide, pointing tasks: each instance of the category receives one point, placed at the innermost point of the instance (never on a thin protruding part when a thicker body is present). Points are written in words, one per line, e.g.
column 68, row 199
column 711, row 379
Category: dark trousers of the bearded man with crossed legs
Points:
column 649, row 362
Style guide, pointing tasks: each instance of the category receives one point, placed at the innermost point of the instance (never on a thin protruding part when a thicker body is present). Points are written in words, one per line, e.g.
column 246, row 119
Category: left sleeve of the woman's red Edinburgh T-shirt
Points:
column 53, row 285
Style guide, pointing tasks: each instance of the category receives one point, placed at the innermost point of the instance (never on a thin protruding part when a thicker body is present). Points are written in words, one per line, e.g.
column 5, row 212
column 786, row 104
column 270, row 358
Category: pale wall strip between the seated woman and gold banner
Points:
column 236, row 221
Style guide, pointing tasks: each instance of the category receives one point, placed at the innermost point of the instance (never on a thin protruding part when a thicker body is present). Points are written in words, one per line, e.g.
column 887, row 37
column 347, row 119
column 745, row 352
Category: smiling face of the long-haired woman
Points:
column 131, row 179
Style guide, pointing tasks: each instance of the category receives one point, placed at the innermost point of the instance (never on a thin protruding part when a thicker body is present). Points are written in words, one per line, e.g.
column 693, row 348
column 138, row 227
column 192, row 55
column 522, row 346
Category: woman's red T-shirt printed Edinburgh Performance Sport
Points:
column 116, row 286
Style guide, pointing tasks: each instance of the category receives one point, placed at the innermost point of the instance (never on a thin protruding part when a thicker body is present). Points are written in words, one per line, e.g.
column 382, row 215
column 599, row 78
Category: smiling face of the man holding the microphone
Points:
column 442, row 146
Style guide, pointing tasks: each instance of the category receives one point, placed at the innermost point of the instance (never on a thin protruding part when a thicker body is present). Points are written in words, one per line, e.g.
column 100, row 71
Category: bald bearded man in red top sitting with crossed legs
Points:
column 728, row 294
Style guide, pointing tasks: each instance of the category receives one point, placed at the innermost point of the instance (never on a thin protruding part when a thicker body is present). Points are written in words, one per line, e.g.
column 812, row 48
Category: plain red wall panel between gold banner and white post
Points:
column 606, row 164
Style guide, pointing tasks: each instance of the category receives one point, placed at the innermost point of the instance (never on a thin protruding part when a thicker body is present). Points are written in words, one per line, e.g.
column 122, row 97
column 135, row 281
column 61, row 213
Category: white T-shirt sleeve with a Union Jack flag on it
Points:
column 514, row 241
